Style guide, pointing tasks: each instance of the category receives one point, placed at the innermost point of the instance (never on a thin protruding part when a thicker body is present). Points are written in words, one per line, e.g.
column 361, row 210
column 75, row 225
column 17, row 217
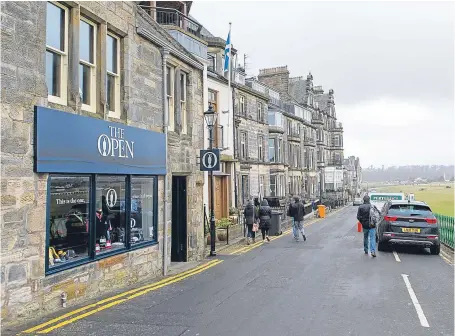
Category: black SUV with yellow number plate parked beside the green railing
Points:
column 408, row 223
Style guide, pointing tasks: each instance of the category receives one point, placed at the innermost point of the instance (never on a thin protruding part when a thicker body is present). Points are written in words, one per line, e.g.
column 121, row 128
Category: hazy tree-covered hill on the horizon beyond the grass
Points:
column 408, row 173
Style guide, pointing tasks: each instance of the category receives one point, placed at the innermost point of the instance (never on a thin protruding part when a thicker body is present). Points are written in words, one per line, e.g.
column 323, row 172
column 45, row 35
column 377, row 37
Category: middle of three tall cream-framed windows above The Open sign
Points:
column 87, row 64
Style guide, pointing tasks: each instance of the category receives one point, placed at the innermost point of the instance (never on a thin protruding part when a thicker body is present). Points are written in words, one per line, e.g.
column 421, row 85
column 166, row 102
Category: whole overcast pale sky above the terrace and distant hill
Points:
column 390, row 64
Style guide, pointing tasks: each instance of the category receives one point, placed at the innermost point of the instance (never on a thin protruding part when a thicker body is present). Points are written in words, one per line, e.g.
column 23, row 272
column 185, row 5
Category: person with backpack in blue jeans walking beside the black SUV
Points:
column 368, row 216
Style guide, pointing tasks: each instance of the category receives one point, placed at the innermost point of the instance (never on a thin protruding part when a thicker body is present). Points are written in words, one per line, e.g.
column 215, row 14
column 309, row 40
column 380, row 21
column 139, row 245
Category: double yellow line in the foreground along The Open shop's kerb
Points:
column 94, row 308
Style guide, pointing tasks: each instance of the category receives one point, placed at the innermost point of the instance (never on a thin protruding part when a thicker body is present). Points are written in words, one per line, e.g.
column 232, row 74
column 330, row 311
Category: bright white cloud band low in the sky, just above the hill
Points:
column 390, row 132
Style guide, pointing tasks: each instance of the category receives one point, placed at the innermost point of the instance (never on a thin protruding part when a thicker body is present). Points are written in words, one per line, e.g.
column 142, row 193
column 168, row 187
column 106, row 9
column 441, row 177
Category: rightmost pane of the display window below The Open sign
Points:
column 142, row 220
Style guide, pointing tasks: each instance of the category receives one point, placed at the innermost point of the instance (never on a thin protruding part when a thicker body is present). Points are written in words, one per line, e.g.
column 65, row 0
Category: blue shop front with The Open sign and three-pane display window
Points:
column 102, row 187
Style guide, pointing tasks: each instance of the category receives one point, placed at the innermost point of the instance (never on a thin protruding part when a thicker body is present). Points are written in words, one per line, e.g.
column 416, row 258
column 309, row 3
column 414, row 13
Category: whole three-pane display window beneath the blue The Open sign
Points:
column 88, row 216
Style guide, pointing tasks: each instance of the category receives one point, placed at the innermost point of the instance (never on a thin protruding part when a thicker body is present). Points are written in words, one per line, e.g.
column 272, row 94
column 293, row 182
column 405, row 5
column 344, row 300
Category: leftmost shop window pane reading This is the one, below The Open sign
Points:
column 69, row 219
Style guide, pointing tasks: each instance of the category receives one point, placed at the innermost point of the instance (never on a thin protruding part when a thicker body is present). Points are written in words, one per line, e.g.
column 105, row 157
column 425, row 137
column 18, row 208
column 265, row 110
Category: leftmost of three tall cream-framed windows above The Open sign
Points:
column 57, row 52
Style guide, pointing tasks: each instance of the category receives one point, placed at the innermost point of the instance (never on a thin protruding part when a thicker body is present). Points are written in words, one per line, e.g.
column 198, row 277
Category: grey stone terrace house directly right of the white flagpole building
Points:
column 252, row 136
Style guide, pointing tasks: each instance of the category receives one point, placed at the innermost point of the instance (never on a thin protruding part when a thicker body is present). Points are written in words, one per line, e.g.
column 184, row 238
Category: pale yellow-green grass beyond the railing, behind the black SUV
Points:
column 436, row 195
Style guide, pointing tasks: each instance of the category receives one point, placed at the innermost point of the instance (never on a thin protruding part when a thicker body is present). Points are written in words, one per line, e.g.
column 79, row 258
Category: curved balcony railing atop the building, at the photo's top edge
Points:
column 172, row 17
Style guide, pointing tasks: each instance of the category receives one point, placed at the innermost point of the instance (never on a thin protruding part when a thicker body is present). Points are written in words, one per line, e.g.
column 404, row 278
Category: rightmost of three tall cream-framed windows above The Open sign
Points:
column 113, row 75
